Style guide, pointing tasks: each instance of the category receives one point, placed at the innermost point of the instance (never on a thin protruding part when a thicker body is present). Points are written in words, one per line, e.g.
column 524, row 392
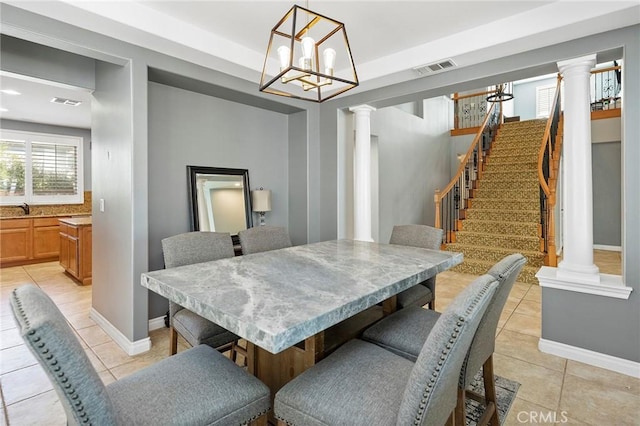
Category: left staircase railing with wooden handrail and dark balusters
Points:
column 452, row 201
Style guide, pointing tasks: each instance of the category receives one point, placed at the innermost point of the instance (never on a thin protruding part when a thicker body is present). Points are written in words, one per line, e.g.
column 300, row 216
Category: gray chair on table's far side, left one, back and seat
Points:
column 187, row 249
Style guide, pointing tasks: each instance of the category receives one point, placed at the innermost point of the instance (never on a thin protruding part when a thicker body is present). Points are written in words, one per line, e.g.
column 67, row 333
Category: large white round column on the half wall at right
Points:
column 577, row 258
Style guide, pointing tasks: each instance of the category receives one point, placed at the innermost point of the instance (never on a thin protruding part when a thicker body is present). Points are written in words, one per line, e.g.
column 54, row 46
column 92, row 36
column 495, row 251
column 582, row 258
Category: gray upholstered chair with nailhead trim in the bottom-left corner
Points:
column 198, row 386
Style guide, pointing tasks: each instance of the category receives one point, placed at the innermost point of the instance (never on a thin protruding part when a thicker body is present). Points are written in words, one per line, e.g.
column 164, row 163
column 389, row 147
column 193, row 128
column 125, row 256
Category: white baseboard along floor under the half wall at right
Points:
column 608, row 362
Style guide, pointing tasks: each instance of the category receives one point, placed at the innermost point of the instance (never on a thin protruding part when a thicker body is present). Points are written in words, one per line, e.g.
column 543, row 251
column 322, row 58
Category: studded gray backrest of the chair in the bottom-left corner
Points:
column 49, row 337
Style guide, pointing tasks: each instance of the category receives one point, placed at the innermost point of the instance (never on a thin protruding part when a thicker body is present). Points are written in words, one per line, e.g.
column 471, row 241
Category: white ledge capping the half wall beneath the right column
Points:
column 609, row 285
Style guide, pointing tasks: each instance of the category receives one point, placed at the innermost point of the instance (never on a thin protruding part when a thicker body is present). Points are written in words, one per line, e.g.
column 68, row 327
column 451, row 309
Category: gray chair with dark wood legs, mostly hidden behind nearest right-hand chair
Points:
column 405, row 331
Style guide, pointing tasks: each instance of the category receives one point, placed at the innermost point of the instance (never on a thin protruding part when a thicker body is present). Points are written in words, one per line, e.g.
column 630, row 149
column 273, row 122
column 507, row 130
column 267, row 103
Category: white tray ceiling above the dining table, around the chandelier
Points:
column 388, row 38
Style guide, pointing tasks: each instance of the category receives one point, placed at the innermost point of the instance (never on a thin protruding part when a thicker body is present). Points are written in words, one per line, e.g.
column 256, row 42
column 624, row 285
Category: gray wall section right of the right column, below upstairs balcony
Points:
column 607, row 192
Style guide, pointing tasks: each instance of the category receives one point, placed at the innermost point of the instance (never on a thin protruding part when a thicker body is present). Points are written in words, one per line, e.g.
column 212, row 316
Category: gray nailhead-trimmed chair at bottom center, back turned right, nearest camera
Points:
column 363, row 384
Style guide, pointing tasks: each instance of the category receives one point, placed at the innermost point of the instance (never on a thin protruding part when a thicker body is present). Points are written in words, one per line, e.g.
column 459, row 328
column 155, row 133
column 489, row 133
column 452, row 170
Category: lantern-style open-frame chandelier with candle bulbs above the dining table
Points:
column 308, row 58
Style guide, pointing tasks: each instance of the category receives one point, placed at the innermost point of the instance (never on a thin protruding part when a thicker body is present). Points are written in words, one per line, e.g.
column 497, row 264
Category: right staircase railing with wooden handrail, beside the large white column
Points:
column 548, row 167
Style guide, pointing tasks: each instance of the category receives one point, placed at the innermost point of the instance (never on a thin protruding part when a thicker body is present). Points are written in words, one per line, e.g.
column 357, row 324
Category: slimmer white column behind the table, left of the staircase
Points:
column 362, row 173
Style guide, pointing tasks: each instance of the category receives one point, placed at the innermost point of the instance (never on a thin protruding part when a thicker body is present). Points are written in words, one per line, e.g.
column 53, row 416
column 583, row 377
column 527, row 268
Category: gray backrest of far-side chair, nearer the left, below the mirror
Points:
column 196, row 247
